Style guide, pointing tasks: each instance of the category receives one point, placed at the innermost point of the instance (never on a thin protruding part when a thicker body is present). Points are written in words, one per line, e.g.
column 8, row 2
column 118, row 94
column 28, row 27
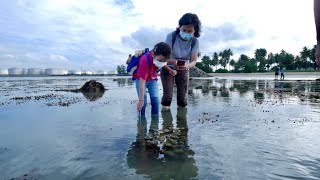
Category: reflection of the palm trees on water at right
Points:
column 260, row 88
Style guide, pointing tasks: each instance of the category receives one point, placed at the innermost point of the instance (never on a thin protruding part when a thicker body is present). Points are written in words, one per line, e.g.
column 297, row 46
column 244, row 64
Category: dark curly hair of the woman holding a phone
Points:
column 190, row 19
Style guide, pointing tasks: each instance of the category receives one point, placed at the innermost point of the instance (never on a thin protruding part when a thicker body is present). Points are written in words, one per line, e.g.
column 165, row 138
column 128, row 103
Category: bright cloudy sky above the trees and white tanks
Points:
column 99, row 34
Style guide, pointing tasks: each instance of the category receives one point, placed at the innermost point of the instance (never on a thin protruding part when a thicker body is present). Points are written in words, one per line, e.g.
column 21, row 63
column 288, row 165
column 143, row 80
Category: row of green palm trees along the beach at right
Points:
column 261, row 62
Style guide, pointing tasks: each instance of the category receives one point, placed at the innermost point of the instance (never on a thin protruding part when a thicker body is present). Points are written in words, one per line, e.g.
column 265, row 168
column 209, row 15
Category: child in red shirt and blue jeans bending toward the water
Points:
column 147, row 76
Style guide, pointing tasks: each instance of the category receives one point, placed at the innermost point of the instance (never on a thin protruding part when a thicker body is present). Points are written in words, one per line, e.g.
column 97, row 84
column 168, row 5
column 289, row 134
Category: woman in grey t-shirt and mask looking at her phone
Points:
column 185, row 47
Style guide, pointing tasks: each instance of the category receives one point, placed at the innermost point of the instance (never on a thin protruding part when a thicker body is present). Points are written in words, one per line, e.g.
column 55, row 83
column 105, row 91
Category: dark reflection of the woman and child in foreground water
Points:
column 165, row 153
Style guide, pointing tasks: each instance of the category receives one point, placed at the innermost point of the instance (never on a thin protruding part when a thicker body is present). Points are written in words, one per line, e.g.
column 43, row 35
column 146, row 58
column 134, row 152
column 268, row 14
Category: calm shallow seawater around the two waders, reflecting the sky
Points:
column 231, row 129
